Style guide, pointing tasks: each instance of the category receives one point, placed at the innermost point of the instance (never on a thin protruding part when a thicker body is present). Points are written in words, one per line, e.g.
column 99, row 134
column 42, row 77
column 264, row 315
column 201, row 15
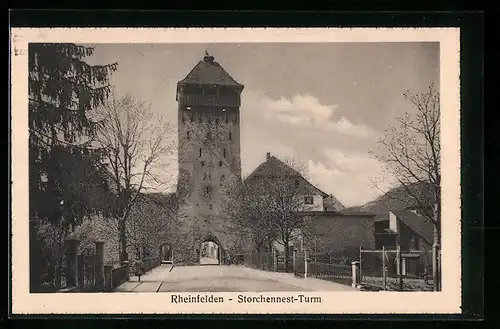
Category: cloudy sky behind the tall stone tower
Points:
column 324, row 104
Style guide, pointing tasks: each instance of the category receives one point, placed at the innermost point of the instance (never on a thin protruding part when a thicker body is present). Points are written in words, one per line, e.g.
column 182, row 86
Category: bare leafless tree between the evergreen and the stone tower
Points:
column 137, row 144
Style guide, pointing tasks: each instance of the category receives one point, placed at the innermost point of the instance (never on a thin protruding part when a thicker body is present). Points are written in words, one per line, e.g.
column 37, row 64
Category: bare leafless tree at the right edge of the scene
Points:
column 410, row 152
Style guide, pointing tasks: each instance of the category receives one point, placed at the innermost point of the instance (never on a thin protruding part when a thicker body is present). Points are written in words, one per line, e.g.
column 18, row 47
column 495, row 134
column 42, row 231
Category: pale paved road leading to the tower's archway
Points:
column 216, row 278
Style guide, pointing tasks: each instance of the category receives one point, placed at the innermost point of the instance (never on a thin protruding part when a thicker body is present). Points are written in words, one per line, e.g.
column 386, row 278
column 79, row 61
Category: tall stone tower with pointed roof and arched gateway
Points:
column 208, row 153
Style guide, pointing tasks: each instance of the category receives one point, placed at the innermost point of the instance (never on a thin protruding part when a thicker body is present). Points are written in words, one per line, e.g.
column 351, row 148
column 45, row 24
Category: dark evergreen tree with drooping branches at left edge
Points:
column 66, row 182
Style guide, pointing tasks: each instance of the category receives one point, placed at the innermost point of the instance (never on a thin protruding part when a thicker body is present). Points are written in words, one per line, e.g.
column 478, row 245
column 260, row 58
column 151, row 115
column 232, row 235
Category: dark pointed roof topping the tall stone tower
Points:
column 209, row 72
